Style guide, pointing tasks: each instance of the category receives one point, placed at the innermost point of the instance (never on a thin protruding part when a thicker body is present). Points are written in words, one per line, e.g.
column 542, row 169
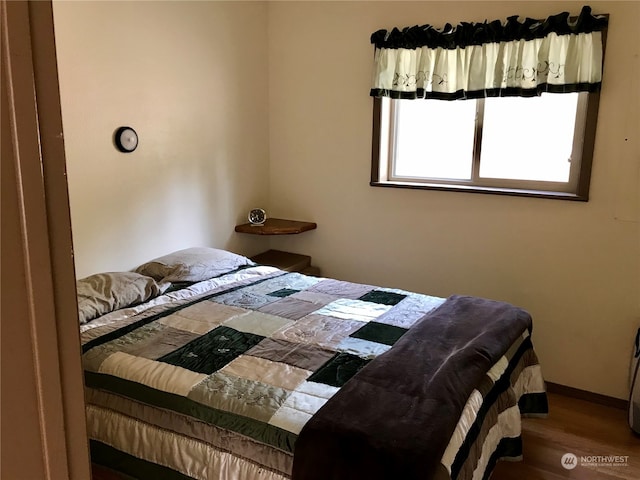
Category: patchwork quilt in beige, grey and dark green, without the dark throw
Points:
column 218, row 380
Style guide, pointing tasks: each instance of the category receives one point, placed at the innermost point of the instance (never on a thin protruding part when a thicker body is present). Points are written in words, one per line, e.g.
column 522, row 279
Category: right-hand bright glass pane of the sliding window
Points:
column 511, row 127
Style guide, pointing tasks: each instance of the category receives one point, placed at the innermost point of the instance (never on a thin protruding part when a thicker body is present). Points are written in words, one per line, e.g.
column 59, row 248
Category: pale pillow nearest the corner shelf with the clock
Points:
column 193, row 265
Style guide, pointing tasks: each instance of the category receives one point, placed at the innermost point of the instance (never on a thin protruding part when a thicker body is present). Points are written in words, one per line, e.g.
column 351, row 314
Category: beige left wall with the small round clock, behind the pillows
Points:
column 188, row 76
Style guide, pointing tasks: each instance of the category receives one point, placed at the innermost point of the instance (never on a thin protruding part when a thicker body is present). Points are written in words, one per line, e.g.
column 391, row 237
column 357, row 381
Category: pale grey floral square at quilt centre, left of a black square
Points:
column 319, row 330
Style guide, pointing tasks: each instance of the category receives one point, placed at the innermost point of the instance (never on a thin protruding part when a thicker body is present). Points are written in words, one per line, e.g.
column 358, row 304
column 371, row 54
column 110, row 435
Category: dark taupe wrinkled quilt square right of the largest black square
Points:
column 307, row 357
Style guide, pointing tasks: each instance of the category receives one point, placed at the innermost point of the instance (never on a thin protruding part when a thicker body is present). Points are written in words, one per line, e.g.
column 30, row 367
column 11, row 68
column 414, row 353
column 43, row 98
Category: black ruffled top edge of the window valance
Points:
column 488, row 32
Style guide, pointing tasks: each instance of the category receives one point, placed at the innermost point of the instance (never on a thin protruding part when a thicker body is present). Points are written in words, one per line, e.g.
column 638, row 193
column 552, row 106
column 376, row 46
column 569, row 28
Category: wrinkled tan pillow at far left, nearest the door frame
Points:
column 102, row 293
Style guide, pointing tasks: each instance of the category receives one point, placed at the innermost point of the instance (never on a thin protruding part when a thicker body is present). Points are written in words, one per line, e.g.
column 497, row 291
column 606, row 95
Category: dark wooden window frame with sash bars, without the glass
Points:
column 577, row 189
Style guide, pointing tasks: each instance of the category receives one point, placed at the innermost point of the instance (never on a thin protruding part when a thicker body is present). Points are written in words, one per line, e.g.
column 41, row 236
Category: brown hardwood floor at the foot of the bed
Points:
column 574, row 426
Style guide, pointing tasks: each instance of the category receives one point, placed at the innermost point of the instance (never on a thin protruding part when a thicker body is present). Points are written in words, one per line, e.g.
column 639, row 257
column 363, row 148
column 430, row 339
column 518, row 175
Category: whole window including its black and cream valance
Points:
column 506, row 107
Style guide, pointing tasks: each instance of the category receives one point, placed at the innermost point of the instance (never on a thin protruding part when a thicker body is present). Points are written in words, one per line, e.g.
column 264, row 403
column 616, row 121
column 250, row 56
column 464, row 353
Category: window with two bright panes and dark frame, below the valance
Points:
column 533, row 146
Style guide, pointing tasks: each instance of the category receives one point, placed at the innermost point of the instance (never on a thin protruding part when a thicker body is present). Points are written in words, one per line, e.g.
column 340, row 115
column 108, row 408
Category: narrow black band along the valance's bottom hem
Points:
column 487, row 93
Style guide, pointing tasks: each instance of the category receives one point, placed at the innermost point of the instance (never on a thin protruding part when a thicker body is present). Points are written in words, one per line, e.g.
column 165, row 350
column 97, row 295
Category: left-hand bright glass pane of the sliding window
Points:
column 434, row 138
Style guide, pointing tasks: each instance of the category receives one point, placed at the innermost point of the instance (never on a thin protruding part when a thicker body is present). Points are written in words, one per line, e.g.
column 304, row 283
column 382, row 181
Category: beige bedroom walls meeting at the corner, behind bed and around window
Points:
column 216, row 139
